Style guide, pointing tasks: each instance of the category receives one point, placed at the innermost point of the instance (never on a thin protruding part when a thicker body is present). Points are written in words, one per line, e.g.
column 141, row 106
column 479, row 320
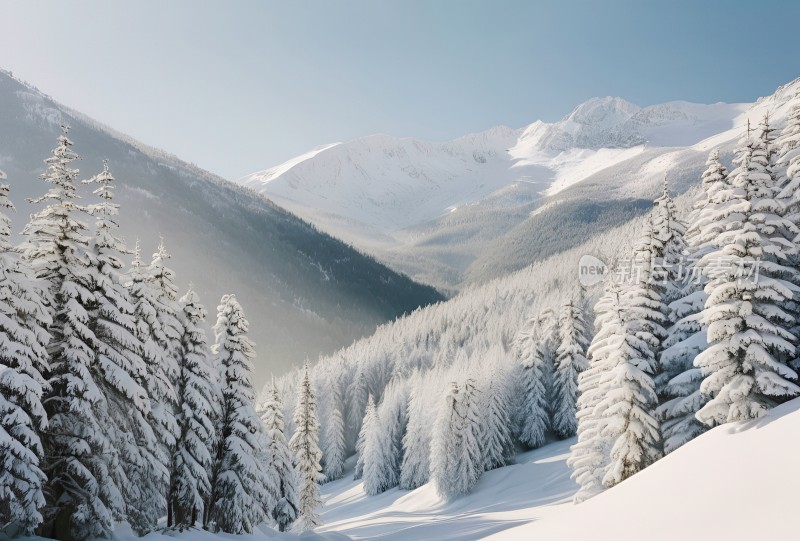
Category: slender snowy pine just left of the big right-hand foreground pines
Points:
column 570, row 362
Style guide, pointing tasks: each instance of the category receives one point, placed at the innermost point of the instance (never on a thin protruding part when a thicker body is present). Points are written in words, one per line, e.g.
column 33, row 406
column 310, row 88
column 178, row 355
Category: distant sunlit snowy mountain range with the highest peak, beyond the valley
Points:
column 486, row 204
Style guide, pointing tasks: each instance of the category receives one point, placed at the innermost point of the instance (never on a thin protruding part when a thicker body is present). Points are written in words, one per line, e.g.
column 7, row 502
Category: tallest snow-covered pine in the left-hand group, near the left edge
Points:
column 83, row 496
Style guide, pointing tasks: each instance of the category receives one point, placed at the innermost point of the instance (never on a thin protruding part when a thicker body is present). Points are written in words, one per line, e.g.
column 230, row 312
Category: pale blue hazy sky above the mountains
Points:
column 239, row 86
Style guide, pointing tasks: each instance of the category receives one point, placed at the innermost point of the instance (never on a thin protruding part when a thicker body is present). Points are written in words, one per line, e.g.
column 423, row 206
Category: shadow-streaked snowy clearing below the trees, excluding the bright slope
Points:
column 538, row 482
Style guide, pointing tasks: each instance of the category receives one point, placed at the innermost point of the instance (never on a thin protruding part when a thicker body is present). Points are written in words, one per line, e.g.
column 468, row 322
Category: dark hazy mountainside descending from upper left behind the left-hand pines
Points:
column 304, row 291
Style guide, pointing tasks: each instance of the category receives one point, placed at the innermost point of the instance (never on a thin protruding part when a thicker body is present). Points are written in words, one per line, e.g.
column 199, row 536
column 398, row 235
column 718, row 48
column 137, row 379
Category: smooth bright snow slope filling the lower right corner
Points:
column 738, row 481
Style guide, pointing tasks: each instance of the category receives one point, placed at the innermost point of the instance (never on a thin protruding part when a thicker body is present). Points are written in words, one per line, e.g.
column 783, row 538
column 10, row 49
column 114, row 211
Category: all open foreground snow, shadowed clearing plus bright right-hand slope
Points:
column 738, row 481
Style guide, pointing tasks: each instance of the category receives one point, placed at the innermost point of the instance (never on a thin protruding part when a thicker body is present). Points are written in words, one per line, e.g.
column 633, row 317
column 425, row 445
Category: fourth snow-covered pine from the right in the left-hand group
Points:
column 197, row 401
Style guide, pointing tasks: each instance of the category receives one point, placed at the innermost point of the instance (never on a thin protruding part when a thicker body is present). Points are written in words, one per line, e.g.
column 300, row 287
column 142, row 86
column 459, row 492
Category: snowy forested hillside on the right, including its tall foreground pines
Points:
column 693, row 326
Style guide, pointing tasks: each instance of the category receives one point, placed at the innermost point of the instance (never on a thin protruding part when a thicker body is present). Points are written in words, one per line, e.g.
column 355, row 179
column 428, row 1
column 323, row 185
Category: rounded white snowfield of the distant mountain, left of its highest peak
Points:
column 388, row 184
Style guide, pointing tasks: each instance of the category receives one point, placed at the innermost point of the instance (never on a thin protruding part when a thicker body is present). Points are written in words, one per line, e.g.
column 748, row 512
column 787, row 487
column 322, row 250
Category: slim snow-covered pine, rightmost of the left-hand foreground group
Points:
column 305, row 446
